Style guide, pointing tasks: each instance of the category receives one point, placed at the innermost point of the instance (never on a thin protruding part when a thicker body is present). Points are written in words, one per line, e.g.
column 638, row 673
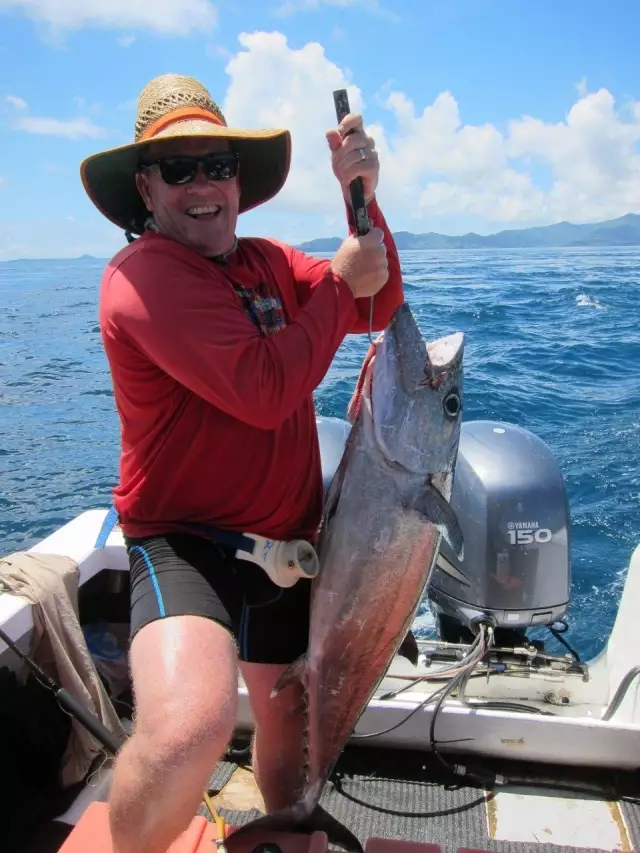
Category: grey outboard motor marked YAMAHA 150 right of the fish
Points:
column 510, row 500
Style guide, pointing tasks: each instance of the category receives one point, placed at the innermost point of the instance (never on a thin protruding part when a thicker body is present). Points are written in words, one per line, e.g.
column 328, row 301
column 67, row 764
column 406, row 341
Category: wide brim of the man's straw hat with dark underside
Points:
column 109, row 177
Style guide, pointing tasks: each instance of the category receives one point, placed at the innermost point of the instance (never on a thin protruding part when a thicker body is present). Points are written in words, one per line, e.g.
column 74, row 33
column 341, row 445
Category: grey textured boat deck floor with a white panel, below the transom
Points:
column 400, row 794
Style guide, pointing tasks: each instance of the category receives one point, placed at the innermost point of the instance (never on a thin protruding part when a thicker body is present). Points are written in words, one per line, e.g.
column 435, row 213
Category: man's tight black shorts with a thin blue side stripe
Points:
column 180, row 574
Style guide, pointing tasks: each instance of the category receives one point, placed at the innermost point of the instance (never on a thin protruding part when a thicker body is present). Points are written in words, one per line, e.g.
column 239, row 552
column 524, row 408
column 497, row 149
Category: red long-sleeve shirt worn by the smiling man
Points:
column 217, row 419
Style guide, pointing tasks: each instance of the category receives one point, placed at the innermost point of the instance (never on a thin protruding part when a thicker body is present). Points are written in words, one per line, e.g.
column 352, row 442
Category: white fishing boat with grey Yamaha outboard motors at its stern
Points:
column 492, row 738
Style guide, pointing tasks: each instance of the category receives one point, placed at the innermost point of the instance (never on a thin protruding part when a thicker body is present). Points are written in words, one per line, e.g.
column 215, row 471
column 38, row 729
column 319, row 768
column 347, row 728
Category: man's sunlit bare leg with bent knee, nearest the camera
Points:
column 184, row 672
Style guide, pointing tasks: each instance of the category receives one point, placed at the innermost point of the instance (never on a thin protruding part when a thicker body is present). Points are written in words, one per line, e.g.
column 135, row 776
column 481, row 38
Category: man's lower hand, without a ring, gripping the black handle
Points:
column 362, row 263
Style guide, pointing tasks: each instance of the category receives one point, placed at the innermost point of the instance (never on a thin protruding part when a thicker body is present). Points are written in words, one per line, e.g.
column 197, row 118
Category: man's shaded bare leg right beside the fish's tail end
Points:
column 278, row 758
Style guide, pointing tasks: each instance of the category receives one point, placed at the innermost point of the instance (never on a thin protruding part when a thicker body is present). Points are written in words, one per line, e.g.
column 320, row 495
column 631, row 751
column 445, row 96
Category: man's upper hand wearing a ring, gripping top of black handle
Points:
column 353, row 155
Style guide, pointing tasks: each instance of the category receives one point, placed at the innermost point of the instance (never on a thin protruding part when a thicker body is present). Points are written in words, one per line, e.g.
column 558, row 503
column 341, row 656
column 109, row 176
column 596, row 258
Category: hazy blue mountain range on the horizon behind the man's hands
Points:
column 624, row 231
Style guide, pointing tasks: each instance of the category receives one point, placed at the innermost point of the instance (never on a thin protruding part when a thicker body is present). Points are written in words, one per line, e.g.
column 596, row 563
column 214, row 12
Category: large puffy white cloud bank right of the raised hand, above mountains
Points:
column 478, row 171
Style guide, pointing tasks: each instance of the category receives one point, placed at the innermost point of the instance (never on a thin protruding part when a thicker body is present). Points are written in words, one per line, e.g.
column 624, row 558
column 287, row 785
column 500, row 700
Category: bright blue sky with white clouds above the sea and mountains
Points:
column 486, row 115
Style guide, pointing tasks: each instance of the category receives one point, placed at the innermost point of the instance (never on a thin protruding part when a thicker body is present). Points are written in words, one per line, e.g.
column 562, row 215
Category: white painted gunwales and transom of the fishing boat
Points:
column 576, row 735
